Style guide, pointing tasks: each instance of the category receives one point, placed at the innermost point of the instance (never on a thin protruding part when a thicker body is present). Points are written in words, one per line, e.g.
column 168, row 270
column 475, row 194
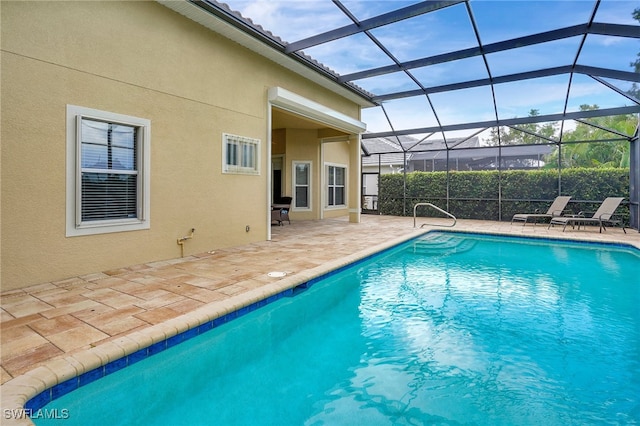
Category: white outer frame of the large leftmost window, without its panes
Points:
column 75, row 226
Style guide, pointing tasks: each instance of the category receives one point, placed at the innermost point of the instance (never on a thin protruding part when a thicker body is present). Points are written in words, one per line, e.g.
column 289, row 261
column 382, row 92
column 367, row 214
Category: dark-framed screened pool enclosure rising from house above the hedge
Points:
column 473, row 86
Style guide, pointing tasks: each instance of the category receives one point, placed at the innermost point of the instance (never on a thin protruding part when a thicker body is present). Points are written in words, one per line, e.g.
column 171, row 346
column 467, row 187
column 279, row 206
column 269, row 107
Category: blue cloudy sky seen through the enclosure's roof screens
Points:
column 448, row 30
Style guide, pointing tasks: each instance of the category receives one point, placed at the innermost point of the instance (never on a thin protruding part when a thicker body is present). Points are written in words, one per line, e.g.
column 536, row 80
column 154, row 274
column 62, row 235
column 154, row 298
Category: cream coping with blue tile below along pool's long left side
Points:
column 79, row 371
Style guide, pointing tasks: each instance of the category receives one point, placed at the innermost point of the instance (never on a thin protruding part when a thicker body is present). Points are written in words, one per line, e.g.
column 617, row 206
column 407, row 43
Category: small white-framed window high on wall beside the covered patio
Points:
column 245, row 155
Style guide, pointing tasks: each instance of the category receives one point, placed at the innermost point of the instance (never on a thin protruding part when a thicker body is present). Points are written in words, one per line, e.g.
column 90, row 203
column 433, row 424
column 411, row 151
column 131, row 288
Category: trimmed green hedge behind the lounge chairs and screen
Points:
column 475, row 195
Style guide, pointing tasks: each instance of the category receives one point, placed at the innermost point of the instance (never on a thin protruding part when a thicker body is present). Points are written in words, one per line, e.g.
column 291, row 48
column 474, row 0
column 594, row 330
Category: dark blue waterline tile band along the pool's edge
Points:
column 40, row 400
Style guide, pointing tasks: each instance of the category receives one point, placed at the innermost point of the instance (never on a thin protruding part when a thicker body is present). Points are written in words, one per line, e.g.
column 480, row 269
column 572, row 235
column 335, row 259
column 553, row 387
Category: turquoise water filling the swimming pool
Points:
column 446, row 329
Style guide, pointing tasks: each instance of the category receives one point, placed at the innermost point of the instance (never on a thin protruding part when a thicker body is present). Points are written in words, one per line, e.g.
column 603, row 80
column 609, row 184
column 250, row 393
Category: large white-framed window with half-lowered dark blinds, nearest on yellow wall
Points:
column 107, row 172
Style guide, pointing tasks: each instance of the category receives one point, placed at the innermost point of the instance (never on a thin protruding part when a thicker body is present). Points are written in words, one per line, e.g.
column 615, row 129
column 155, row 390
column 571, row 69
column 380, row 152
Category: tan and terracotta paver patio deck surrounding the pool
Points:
column 60, row 324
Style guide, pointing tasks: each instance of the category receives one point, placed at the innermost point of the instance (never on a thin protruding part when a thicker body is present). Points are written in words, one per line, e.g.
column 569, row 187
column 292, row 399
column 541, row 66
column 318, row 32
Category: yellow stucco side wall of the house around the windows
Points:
column 143, row 60
